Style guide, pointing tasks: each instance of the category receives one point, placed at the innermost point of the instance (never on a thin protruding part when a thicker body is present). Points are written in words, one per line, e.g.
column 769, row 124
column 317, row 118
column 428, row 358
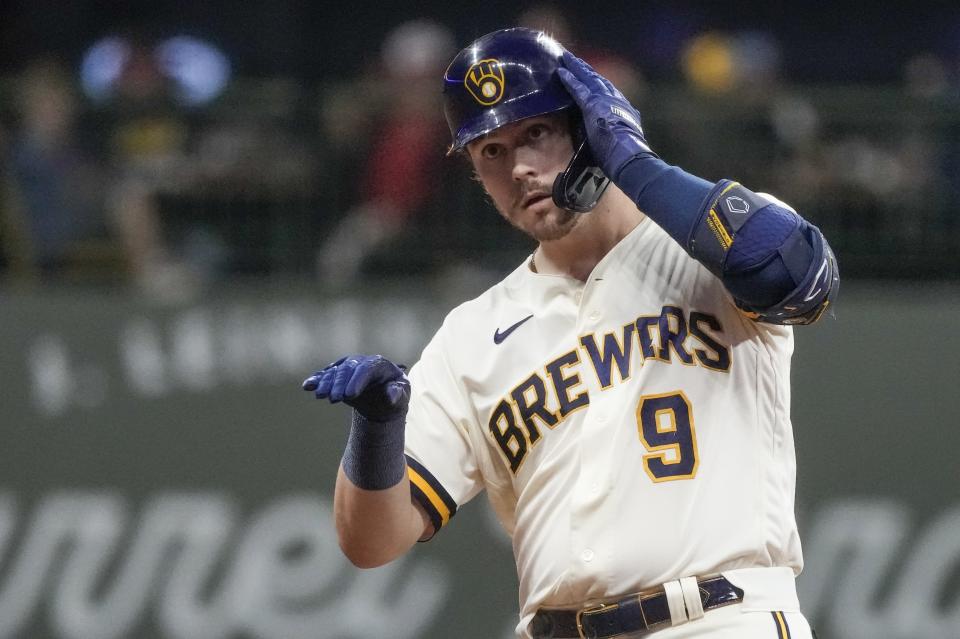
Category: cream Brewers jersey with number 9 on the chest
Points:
column 630, row 430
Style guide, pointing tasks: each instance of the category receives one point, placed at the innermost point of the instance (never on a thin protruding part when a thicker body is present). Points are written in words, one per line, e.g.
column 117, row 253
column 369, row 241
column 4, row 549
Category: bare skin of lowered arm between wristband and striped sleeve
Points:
column 377, row 526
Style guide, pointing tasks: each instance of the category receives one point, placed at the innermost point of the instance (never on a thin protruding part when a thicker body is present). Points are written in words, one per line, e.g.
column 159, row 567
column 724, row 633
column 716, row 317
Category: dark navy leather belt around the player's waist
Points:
column 645, row 611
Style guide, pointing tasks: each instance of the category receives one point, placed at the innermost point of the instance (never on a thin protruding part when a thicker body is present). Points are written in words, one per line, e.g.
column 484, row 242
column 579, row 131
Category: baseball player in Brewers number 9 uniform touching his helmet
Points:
column 623, row 395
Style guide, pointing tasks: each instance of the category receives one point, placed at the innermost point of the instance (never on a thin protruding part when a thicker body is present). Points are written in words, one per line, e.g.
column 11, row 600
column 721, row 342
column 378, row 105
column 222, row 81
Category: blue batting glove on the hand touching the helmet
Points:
column 612, row 124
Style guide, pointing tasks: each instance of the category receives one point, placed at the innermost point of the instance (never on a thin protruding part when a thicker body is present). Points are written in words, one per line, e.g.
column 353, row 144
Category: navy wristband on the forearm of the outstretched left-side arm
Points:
column 373, row 458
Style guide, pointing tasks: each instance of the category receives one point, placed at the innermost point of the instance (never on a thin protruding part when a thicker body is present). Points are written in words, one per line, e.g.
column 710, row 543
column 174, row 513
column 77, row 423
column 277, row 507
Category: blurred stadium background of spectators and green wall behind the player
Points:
column 200, row 203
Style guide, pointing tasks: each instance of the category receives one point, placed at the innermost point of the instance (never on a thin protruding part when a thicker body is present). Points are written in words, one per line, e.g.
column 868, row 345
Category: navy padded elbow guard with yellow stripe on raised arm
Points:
column 781, row 269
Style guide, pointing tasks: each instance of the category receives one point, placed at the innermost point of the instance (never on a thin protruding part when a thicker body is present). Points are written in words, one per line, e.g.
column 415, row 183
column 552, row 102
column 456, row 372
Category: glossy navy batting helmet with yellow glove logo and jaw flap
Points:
column 509, row 75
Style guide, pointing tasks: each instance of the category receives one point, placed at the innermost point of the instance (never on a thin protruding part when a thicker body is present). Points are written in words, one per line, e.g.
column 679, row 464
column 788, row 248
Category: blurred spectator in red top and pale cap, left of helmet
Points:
column 399, row 177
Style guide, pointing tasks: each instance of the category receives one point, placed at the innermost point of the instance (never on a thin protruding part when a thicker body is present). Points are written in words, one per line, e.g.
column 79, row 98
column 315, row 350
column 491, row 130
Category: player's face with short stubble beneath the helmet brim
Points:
column 517, row 165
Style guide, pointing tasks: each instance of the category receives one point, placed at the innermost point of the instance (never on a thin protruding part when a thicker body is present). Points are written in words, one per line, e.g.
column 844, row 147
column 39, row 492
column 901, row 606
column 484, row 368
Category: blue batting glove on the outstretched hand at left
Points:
column 372, row 385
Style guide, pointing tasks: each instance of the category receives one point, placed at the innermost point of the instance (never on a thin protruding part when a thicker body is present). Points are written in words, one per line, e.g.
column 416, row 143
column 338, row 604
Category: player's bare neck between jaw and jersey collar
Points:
column 577, row 253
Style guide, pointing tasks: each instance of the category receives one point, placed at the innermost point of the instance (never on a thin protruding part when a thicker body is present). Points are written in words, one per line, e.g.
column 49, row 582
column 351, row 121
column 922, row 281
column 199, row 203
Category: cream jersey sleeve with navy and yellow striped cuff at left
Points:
column 441, row 462
